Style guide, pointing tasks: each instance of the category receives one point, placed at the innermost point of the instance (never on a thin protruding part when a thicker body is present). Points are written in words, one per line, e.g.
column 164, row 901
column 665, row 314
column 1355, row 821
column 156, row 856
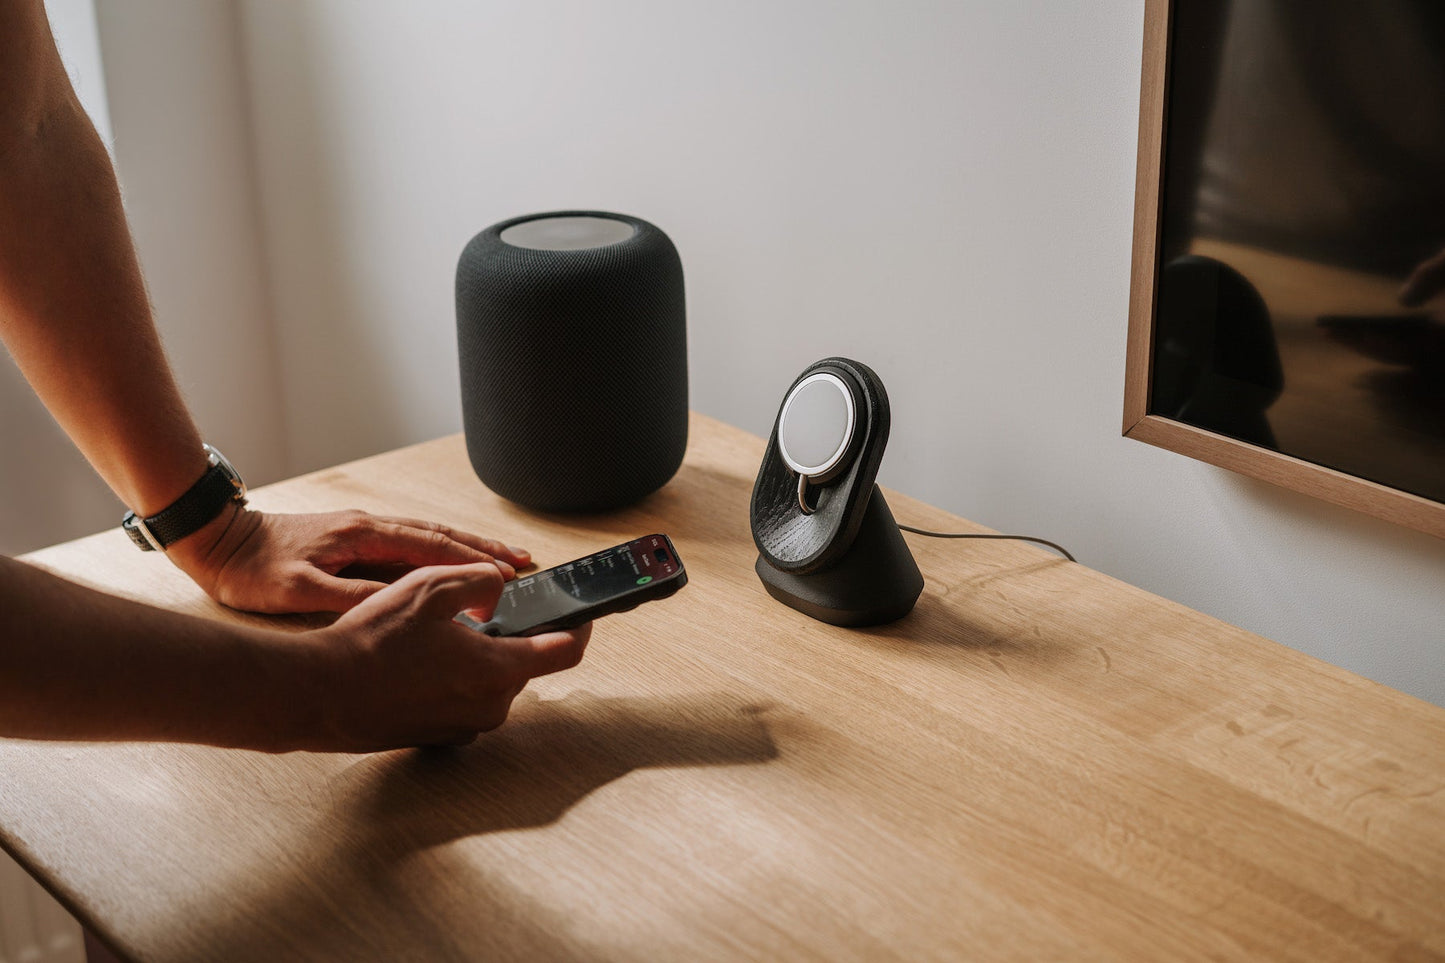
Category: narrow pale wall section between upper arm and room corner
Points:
column 177, row 93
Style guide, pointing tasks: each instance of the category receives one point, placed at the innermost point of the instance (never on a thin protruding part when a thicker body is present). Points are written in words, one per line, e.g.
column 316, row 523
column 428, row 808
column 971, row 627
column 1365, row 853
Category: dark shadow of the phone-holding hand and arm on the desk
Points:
column 359, row 867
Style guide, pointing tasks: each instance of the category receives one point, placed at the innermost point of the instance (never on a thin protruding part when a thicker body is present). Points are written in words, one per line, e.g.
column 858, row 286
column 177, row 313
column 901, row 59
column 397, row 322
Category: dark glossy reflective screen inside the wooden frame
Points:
column 1303, row 236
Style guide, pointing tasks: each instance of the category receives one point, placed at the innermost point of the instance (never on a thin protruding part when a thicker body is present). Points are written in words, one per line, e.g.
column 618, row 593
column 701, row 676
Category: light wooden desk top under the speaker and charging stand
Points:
column 1038, row 764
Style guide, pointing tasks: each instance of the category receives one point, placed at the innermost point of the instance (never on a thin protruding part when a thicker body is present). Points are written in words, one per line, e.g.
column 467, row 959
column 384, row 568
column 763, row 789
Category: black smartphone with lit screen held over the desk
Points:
column 613, row 581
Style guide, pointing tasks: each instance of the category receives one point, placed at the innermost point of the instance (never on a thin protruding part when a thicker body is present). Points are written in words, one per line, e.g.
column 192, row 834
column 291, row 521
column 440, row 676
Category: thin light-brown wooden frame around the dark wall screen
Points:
column 1256, row 462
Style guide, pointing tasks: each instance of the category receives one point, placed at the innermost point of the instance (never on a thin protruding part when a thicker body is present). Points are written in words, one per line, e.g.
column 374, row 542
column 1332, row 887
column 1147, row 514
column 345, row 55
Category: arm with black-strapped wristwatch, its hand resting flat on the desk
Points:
column 76, row 317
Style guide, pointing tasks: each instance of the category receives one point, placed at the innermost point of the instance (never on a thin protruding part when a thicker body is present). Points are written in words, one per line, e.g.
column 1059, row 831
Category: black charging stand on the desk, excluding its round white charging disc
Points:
column 845, row 562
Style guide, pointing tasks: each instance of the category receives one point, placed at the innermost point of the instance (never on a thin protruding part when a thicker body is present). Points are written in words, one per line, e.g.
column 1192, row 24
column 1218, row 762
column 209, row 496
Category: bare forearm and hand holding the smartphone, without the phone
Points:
column 395, row 672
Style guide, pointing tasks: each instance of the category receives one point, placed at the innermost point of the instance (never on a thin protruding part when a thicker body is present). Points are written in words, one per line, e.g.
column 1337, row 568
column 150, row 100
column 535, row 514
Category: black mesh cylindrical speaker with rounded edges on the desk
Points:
column 571, row 333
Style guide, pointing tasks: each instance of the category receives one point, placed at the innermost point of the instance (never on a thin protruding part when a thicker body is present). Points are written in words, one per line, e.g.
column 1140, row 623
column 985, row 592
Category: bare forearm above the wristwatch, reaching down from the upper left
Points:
column 73, row 304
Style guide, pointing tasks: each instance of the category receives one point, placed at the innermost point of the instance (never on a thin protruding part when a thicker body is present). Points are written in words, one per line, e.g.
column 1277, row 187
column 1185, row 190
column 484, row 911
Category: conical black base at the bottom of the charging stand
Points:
column 875, row 582
